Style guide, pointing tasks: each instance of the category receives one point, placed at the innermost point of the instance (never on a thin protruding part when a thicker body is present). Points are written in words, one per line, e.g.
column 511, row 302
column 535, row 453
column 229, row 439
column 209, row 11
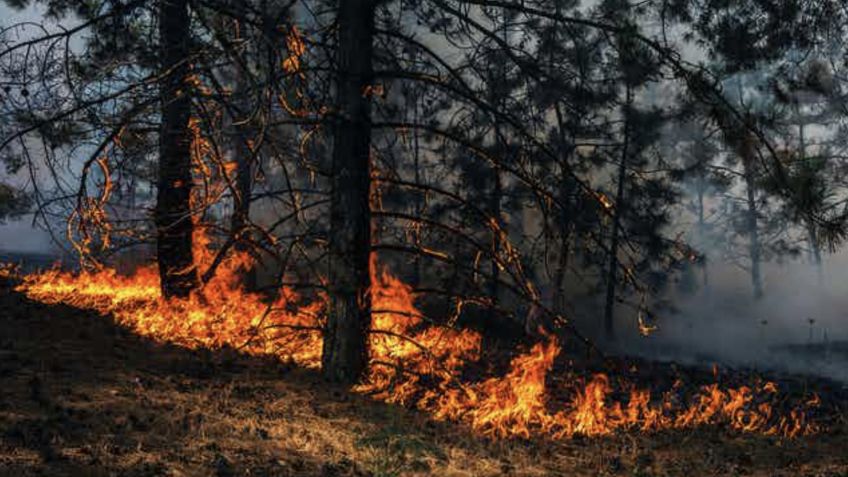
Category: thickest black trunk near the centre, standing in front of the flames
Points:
column 345, row 352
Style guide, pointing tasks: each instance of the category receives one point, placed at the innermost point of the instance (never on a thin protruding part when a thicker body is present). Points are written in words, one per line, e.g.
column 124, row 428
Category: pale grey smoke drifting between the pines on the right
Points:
column 800, row 325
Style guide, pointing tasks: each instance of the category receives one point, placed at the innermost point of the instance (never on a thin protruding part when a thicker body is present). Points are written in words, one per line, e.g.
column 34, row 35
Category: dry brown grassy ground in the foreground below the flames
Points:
column 80, row 396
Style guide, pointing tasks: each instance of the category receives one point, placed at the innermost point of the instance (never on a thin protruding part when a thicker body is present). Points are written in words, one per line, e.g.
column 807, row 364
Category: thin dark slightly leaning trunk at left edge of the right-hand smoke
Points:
column 612, row 265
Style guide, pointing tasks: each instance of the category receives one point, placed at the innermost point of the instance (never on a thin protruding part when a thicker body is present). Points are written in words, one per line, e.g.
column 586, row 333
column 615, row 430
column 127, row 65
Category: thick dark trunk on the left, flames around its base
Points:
column 172, row 215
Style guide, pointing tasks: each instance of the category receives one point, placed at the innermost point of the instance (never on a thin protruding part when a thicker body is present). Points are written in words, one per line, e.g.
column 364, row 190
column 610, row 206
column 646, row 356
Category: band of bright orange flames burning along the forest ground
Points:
column 421, row 365
